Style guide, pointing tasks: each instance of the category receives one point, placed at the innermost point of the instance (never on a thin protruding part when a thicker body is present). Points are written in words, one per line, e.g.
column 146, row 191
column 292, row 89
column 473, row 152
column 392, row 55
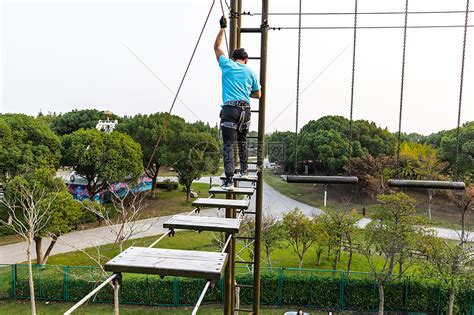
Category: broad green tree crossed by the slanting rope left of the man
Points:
column 146, row 129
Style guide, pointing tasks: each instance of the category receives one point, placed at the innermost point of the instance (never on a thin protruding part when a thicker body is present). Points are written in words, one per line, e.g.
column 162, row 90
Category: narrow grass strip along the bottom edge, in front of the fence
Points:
column 23, row 307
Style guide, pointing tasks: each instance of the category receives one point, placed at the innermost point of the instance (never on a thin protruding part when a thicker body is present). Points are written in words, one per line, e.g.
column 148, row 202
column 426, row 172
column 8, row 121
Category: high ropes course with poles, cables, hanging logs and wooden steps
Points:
column 213, row 265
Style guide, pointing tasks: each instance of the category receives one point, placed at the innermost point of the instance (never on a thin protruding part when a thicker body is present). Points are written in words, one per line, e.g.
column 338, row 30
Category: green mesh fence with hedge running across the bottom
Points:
column 318, row 289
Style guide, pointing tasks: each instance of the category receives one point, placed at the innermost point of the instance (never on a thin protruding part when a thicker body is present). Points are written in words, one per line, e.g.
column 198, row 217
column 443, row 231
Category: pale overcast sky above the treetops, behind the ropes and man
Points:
column 63, row 55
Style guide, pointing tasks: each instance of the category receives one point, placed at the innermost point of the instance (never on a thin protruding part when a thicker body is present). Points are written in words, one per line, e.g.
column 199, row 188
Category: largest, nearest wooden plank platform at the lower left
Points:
column 169, row 262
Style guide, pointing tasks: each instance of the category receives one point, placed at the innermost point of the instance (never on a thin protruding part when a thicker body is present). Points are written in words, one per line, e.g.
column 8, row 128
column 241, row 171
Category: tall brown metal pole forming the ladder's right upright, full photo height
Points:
column 260, row 157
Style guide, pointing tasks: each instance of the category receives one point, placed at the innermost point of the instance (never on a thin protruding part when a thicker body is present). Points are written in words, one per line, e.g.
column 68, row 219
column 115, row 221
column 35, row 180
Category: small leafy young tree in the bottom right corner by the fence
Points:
column 452, row 263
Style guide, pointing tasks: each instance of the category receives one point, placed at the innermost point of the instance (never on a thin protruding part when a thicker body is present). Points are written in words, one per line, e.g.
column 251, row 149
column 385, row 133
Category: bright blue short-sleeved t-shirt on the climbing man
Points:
column 238, row 80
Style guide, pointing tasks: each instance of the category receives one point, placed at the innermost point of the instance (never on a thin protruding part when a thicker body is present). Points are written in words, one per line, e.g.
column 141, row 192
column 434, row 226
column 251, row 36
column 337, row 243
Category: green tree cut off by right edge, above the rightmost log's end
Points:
column 464, row 161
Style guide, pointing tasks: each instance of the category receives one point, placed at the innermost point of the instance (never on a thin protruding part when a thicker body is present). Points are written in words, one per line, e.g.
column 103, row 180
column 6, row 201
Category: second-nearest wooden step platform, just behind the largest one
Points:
column 197, row 223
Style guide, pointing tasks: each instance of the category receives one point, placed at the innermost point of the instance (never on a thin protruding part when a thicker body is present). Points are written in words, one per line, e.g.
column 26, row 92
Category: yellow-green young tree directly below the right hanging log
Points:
column 393, row 232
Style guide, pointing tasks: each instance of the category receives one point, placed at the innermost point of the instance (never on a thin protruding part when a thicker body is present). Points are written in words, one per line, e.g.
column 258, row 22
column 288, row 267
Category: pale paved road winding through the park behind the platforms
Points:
column 278, row 203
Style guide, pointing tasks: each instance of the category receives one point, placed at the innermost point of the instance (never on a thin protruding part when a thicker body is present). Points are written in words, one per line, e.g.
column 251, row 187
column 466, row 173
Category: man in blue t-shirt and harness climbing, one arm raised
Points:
column 239, row 83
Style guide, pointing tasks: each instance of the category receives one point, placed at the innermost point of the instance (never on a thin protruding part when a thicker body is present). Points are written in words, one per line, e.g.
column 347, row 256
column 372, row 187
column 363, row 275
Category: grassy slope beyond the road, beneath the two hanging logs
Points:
column 346, row 197
